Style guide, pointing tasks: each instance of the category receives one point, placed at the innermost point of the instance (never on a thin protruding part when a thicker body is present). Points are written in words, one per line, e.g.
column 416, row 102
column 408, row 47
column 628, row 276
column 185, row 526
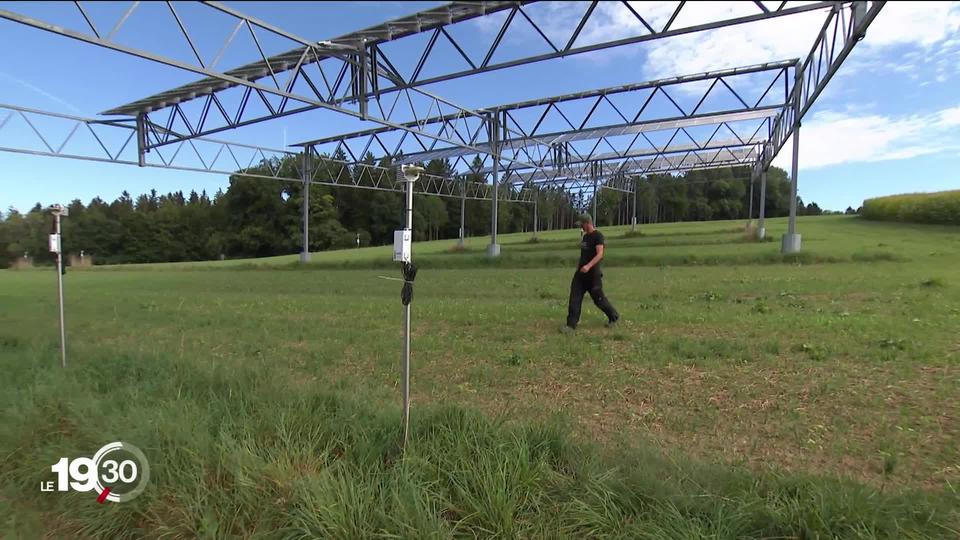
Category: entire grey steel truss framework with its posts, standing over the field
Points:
column 378, row 77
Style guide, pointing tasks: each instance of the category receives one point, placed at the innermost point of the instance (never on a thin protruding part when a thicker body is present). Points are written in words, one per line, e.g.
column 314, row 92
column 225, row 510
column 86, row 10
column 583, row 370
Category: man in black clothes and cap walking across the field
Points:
column 588, row 277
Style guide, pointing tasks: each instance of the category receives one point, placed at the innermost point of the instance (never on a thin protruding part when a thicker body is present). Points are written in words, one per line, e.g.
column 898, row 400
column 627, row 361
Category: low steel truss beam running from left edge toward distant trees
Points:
column 115, row 142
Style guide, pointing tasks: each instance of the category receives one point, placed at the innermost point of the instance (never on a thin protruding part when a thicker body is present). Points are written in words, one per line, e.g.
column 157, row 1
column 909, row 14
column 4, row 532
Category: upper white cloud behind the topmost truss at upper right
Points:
column 930, row 30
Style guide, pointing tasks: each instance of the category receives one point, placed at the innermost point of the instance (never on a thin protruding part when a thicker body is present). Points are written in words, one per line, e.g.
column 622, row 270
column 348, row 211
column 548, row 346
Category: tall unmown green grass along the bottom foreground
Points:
column 241, row 451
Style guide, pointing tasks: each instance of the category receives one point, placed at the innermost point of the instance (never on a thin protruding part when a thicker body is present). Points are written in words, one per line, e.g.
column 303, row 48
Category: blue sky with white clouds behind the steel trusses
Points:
column 888, row 123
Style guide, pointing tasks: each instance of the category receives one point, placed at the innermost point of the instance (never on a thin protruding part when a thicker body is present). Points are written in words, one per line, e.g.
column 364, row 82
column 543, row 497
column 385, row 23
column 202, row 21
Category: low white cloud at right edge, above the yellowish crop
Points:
column 832, row 138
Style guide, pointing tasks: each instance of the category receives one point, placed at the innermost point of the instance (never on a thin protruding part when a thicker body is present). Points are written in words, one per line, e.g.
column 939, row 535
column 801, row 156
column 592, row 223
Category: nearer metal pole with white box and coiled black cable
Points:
column 402, row 252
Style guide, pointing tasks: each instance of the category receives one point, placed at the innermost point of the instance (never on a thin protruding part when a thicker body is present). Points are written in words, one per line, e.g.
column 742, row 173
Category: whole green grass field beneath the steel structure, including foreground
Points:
column 745, row 394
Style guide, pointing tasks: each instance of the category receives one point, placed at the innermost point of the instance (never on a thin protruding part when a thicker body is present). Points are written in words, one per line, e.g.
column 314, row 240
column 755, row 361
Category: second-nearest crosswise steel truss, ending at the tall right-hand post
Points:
column 761, row 101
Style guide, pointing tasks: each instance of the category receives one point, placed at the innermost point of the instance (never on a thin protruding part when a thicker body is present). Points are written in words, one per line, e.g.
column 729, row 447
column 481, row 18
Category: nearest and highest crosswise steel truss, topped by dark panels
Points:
column 366, row 64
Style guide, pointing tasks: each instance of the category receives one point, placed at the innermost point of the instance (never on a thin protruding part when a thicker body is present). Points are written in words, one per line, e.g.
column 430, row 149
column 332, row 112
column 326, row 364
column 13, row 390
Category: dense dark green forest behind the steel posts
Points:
column 257, row 217
